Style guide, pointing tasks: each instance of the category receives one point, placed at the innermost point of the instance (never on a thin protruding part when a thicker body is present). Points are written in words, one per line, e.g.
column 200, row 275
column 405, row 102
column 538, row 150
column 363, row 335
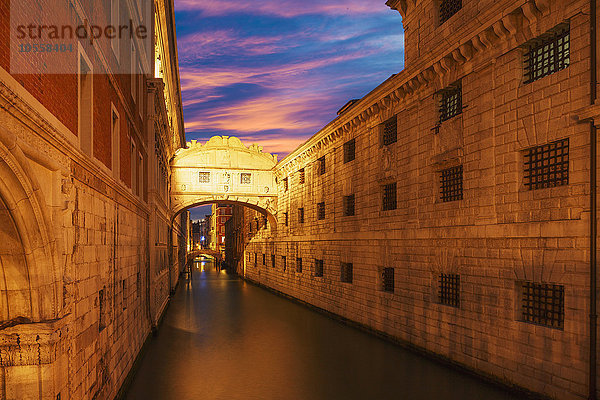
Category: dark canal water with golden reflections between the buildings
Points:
column 225, row 339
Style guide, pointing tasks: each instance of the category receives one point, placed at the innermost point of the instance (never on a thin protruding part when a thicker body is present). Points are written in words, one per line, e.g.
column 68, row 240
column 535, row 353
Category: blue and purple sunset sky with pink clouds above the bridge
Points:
column 273, row 72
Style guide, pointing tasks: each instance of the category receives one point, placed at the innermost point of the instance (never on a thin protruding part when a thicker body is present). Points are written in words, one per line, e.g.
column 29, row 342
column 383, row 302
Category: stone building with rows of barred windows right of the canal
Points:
column 449, row 208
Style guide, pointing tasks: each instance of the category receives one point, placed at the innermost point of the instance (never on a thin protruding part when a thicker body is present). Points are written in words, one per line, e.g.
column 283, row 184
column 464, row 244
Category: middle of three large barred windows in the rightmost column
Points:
column 547, row 165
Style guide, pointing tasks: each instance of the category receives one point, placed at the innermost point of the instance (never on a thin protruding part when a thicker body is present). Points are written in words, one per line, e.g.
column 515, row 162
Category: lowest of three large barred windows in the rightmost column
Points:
column 543, row 304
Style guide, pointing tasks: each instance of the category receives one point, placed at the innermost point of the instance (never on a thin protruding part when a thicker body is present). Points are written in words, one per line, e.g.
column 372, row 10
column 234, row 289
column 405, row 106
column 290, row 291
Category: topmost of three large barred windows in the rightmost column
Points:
column 548, row 54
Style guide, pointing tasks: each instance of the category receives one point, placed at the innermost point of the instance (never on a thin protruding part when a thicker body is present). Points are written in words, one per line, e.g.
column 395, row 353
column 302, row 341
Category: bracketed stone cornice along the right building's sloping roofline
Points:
column 404, row 85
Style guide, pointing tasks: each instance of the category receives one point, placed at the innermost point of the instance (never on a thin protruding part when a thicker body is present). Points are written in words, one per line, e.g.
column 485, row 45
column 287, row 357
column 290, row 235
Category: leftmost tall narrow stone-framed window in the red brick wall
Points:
column 85, row 106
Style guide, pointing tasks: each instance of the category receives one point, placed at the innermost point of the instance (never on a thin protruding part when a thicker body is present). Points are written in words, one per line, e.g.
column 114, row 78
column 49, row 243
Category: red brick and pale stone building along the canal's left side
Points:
column 89, row 250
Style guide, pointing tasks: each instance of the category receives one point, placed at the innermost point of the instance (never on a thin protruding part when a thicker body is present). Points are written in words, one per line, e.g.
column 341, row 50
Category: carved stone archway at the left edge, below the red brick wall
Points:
column 31, row 287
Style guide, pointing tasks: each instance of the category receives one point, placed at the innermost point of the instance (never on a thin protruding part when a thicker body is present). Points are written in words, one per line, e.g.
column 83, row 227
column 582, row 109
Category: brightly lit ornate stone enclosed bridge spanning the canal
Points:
column 224, row 170
